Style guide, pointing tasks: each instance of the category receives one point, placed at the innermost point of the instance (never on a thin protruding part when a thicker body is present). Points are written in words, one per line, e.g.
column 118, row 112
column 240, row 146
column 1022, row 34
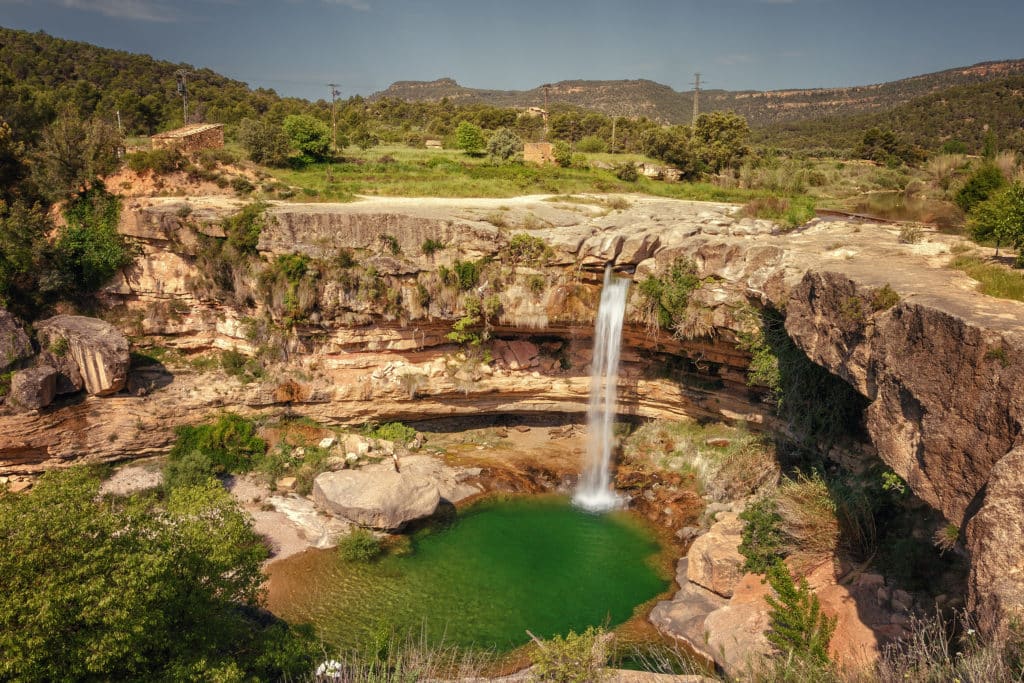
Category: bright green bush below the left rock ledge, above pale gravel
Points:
column 230, row 443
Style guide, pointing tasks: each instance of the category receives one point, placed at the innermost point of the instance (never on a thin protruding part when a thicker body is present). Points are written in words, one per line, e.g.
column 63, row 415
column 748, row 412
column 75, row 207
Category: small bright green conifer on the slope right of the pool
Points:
column 797, row 625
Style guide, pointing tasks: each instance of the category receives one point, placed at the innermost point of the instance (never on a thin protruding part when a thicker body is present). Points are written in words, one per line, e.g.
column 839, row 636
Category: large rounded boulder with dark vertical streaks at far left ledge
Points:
column 99, row 350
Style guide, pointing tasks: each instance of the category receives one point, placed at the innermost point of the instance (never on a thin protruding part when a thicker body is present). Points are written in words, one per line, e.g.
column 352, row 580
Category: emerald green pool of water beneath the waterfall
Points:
column 501, row 569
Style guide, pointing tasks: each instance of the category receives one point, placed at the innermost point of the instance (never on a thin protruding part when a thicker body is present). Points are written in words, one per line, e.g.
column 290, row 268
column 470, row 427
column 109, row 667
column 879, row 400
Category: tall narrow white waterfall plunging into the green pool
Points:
column 594, row 492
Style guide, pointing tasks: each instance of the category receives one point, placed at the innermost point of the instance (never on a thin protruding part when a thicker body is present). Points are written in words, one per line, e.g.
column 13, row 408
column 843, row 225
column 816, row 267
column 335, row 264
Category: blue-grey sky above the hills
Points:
column 296, row 47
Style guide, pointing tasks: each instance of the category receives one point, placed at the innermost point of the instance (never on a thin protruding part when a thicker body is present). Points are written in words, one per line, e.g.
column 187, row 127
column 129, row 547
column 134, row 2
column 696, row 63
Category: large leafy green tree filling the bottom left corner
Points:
column 133, row 589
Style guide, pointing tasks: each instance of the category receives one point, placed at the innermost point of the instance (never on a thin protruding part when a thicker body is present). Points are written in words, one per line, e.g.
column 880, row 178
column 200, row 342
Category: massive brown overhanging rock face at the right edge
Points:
column 946, row 388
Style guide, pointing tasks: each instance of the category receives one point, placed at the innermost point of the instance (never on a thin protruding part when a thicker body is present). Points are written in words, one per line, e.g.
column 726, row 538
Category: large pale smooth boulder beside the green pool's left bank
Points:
column 379, row 499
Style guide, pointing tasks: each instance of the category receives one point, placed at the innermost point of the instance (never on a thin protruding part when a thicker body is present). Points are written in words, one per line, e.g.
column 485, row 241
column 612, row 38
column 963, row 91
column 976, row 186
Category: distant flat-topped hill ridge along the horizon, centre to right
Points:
column 661, row 103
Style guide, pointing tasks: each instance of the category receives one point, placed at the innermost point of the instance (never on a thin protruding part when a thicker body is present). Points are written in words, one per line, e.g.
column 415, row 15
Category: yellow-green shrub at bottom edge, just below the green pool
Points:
column 575, row 659
